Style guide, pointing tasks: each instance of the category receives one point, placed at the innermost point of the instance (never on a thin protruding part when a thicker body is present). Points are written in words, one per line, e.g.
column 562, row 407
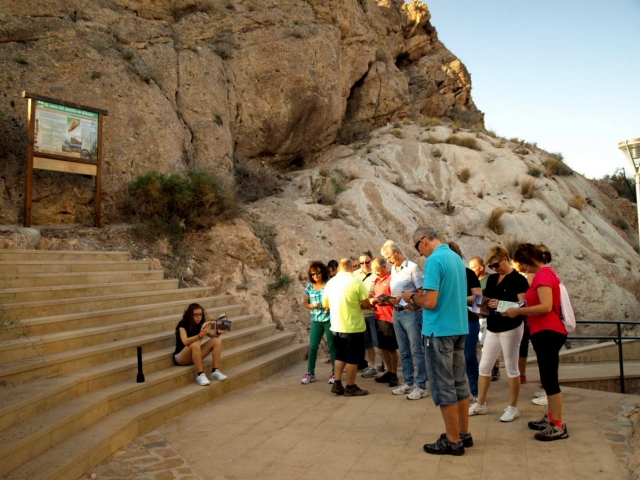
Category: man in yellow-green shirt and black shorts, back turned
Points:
column 345, row 296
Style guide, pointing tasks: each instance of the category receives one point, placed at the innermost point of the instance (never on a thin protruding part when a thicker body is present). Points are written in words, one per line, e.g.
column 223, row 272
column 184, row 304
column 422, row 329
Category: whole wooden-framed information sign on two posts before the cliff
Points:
column 57, row 148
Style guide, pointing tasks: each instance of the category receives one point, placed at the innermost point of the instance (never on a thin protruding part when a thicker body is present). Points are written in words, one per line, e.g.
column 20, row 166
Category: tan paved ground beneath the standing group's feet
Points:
column 282, row 429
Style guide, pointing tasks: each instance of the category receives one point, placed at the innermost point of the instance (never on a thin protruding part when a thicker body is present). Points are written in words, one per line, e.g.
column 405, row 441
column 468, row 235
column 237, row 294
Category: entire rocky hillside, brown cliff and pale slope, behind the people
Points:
column 323, row 91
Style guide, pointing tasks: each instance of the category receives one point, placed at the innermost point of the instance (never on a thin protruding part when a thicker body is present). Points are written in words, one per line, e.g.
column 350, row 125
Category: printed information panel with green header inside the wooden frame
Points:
column 66, row 131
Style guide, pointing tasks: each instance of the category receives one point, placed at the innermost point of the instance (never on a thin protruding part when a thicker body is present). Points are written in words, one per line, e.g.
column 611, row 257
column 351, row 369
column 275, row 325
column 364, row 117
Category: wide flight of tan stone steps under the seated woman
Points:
column 71, row 326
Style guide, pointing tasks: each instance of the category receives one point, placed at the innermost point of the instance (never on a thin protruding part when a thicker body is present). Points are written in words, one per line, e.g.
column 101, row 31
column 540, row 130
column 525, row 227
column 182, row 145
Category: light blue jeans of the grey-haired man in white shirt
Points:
column 408, row 328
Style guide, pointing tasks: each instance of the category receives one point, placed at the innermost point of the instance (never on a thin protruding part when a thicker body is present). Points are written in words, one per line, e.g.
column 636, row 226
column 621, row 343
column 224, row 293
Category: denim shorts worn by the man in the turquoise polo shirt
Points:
column 446, row 368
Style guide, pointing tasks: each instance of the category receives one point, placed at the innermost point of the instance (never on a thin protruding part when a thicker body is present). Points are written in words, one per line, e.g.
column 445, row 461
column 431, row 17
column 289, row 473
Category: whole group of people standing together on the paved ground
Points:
column 388, row 304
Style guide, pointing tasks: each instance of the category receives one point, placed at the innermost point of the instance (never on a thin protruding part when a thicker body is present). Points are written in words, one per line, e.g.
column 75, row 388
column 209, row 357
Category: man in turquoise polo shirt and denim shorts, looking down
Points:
column 444, row 328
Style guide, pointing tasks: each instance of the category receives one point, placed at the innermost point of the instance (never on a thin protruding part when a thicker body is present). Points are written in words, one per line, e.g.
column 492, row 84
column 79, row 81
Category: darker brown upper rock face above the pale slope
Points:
column 194, row 83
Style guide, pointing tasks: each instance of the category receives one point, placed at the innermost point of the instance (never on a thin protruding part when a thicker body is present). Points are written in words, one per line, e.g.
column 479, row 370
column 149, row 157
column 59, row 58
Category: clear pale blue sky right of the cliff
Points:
column 562, row 73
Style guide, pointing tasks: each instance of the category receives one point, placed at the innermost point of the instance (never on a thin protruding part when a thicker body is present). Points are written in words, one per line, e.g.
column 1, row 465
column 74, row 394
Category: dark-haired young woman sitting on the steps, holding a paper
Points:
column 189, row 332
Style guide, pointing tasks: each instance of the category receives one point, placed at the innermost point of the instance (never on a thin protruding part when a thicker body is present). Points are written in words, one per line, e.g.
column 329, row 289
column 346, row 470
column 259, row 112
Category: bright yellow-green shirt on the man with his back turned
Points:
column 344, row 292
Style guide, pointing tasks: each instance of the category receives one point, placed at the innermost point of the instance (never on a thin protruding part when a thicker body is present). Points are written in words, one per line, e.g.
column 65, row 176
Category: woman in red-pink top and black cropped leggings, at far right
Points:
column 547, row 332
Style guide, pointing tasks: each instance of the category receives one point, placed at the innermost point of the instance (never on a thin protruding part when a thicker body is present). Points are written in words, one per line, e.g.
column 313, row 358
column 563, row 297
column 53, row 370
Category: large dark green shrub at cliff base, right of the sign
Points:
column 174, row 204
